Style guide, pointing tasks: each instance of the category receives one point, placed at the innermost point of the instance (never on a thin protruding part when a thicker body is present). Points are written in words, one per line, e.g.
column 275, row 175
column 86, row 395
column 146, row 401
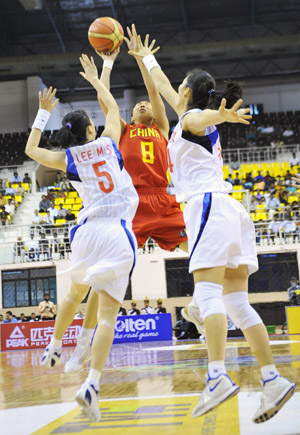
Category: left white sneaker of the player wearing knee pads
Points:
column 217, row 390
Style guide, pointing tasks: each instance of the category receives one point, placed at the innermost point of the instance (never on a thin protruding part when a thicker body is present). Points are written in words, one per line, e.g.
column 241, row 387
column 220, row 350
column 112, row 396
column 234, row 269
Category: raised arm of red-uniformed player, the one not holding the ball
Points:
column 158, row 107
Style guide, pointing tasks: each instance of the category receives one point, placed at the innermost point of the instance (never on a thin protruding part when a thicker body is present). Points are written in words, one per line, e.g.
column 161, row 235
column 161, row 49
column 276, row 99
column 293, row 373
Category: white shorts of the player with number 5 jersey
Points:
column 103, row 255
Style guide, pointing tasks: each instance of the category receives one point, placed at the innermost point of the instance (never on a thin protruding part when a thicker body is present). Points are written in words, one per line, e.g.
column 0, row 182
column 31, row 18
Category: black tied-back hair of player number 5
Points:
column 73, row 131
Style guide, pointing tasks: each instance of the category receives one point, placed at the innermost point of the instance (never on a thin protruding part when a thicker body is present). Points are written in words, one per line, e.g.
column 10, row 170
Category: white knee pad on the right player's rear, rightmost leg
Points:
column 240, row 311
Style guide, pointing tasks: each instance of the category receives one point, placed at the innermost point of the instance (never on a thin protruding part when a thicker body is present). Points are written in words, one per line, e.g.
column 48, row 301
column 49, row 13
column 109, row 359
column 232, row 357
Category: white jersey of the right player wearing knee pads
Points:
column 195, row 162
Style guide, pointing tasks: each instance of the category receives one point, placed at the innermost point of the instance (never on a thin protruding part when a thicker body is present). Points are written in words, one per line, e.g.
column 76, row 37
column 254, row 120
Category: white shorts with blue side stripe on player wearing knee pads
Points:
column 220, row 233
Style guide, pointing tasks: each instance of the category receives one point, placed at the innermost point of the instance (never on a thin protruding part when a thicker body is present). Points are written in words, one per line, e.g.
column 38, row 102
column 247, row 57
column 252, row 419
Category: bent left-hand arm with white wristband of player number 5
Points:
column 51, row 159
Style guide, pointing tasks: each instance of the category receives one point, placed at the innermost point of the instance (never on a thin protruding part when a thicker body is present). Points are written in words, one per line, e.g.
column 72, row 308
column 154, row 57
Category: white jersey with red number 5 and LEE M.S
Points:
column 96, row 171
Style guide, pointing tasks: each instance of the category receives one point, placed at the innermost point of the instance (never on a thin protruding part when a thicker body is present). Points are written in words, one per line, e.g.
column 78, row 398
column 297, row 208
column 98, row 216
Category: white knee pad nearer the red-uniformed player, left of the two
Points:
column 209, row 298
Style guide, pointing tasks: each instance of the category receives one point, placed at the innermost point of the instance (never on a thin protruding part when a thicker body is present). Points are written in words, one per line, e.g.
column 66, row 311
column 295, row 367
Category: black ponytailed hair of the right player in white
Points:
column 204, row 95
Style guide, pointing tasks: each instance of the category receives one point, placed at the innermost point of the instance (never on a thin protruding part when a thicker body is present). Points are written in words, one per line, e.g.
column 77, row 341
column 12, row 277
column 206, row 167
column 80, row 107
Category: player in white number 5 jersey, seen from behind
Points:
column 103, row 244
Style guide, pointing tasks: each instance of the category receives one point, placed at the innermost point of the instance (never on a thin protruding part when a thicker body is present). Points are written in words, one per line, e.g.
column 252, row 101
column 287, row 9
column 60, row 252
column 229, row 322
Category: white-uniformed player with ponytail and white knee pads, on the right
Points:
column 221, row 235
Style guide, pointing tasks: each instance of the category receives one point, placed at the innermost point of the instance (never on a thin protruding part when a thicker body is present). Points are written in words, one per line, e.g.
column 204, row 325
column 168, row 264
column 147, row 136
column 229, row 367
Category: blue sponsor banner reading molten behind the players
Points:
column 151, row 327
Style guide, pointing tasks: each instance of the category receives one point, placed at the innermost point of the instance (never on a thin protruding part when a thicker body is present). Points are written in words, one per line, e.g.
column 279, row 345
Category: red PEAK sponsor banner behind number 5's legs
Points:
column 35, row 335
